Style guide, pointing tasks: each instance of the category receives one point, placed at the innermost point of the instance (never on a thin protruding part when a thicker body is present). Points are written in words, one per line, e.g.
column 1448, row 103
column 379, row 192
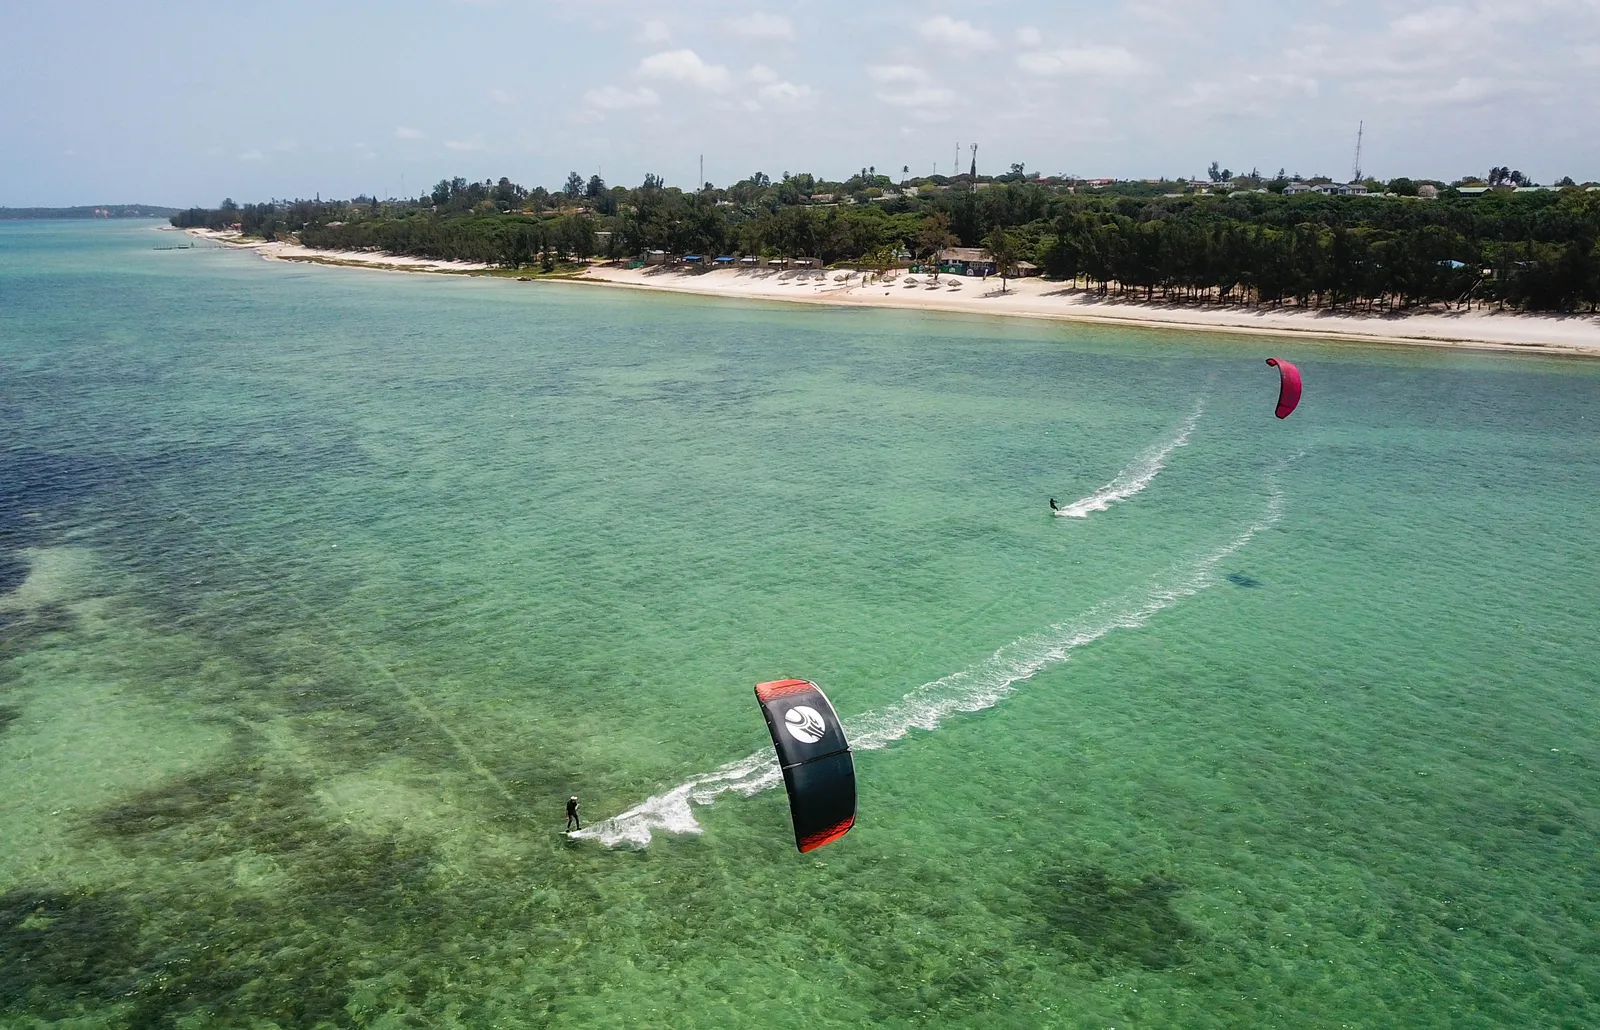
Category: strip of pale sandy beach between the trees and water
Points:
column 1033, row 298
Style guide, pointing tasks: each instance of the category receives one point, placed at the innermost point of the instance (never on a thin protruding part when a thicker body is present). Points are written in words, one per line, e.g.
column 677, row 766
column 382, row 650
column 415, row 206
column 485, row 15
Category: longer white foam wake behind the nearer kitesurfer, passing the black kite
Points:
column 970, row 690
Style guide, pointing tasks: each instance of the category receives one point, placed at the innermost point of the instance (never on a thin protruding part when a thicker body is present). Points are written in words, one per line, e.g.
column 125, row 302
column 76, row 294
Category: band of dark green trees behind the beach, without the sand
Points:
column 1242, row 241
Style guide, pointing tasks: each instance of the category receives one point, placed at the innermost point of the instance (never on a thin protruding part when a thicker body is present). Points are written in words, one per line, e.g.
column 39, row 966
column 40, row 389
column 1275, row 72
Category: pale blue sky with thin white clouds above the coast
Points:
column 186, row 103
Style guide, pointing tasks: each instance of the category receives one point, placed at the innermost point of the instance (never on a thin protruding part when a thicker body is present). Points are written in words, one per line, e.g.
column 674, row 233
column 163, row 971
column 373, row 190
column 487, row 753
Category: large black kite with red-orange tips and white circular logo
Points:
column 815, row 757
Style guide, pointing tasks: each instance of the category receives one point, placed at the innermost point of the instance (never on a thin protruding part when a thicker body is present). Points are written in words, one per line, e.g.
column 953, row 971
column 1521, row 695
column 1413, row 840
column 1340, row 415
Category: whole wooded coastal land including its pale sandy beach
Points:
column 1484, row 265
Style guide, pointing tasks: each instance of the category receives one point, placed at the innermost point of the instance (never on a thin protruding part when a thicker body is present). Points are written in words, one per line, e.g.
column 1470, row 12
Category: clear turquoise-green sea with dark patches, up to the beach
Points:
column 322, row 589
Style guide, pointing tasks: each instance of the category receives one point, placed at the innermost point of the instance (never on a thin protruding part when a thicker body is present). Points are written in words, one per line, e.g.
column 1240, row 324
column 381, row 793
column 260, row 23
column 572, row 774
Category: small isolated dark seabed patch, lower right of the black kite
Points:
column 1108, row 922
